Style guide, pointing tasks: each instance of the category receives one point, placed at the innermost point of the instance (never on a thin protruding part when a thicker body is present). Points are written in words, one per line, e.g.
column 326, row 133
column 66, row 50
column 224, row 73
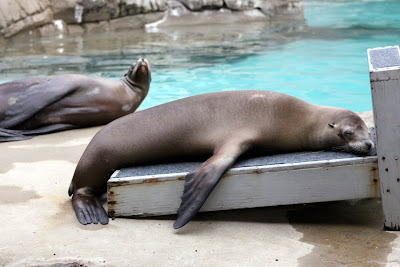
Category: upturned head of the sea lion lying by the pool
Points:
column 139, row 74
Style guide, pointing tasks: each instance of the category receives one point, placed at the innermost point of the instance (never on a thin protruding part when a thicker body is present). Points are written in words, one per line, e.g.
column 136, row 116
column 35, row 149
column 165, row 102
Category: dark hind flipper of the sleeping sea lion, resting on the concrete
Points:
column 87, row 206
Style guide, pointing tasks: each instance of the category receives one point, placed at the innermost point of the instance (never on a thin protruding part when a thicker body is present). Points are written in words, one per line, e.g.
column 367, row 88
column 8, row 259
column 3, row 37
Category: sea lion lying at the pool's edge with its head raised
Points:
column 47, row 104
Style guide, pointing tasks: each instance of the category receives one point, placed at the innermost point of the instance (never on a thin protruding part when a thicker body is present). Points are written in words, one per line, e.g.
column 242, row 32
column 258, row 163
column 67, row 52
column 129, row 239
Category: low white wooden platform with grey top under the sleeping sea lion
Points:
column 292, row 178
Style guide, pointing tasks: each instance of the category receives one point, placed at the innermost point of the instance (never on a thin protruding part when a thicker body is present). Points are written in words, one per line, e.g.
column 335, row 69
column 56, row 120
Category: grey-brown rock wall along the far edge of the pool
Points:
column 17, row 16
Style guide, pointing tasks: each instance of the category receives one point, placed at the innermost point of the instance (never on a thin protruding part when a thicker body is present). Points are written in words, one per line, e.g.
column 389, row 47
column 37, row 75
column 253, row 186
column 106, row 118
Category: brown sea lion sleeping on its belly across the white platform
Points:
column 222, row 125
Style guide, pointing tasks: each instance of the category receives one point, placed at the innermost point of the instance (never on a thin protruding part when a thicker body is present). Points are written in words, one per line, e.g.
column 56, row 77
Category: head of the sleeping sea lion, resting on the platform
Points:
column 347, row 132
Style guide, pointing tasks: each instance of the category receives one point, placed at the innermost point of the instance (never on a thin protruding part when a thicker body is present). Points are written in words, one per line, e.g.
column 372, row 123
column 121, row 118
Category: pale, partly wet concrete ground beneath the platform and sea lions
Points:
column 38, row 225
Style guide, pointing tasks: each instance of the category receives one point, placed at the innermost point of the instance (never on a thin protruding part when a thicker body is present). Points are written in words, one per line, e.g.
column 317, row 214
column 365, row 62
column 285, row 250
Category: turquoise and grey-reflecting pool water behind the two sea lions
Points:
column 321, row 60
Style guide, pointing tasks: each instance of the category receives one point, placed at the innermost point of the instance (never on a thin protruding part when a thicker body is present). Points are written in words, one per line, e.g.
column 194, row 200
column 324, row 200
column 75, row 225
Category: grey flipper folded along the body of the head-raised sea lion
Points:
column 31, row 96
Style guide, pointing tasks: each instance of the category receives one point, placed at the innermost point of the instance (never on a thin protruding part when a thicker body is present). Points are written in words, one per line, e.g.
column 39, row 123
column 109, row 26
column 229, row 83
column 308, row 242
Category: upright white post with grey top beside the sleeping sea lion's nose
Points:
column 384, row 68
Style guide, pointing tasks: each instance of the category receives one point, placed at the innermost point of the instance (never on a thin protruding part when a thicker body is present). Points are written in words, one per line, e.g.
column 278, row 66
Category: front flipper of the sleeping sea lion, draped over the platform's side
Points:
column 202, row 181
